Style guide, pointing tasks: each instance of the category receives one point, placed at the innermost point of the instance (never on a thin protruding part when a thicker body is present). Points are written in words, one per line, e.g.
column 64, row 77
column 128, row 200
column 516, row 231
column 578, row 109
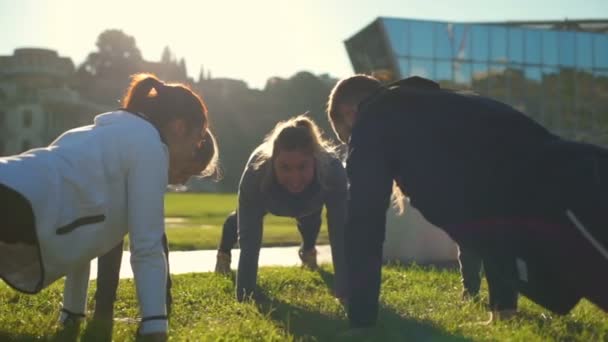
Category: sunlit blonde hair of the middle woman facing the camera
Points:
column 297, row 133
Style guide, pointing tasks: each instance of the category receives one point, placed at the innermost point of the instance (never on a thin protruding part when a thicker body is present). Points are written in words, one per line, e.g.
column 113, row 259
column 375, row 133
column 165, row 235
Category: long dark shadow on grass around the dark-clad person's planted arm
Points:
column 305, row 324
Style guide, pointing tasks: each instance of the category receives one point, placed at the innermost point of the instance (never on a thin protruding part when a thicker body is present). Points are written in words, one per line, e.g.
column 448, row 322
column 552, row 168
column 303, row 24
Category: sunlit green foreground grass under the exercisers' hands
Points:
column 418, row 304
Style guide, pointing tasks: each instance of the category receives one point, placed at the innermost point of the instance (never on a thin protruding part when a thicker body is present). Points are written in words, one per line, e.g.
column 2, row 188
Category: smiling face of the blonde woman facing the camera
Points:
column 294, row 170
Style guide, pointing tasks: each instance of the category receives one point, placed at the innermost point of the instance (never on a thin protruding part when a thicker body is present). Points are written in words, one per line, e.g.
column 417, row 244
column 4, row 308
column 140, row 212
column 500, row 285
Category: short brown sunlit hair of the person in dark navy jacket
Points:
column 348, row 91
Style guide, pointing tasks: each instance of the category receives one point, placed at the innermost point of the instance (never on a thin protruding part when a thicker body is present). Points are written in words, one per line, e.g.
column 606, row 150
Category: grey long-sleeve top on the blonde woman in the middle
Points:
column 260, row 194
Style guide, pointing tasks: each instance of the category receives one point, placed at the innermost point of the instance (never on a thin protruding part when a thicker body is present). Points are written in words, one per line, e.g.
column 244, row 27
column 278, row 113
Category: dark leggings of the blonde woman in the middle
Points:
column 308, row 226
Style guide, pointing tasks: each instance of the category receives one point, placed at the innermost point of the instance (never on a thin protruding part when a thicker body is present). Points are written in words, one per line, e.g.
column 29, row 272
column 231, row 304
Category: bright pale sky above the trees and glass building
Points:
column 250, row 40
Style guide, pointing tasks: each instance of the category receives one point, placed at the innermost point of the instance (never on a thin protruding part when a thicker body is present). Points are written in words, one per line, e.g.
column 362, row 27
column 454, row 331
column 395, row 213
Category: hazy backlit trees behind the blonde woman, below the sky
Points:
column 240, row 116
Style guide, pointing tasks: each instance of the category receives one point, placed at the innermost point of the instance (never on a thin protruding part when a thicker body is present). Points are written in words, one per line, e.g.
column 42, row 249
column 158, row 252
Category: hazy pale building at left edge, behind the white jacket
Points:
column 37, row 100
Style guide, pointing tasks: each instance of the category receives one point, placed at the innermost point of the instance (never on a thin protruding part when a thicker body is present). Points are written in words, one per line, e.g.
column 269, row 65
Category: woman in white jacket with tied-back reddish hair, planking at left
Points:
column 76, row 199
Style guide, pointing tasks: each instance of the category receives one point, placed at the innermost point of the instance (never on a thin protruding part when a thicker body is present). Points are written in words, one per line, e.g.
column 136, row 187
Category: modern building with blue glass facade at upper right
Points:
column 555, row 72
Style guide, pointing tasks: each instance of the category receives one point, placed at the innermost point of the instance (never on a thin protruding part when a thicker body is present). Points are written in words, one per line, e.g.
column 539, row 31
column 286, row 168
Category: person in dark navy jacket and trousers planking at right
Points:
column 530, row 203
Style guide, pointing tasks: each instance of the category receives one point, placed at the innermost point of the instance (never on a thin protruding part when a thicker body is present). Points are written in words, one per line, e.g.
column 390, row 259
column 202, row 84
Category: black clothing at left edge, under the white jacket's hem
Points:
column 18, row 217
